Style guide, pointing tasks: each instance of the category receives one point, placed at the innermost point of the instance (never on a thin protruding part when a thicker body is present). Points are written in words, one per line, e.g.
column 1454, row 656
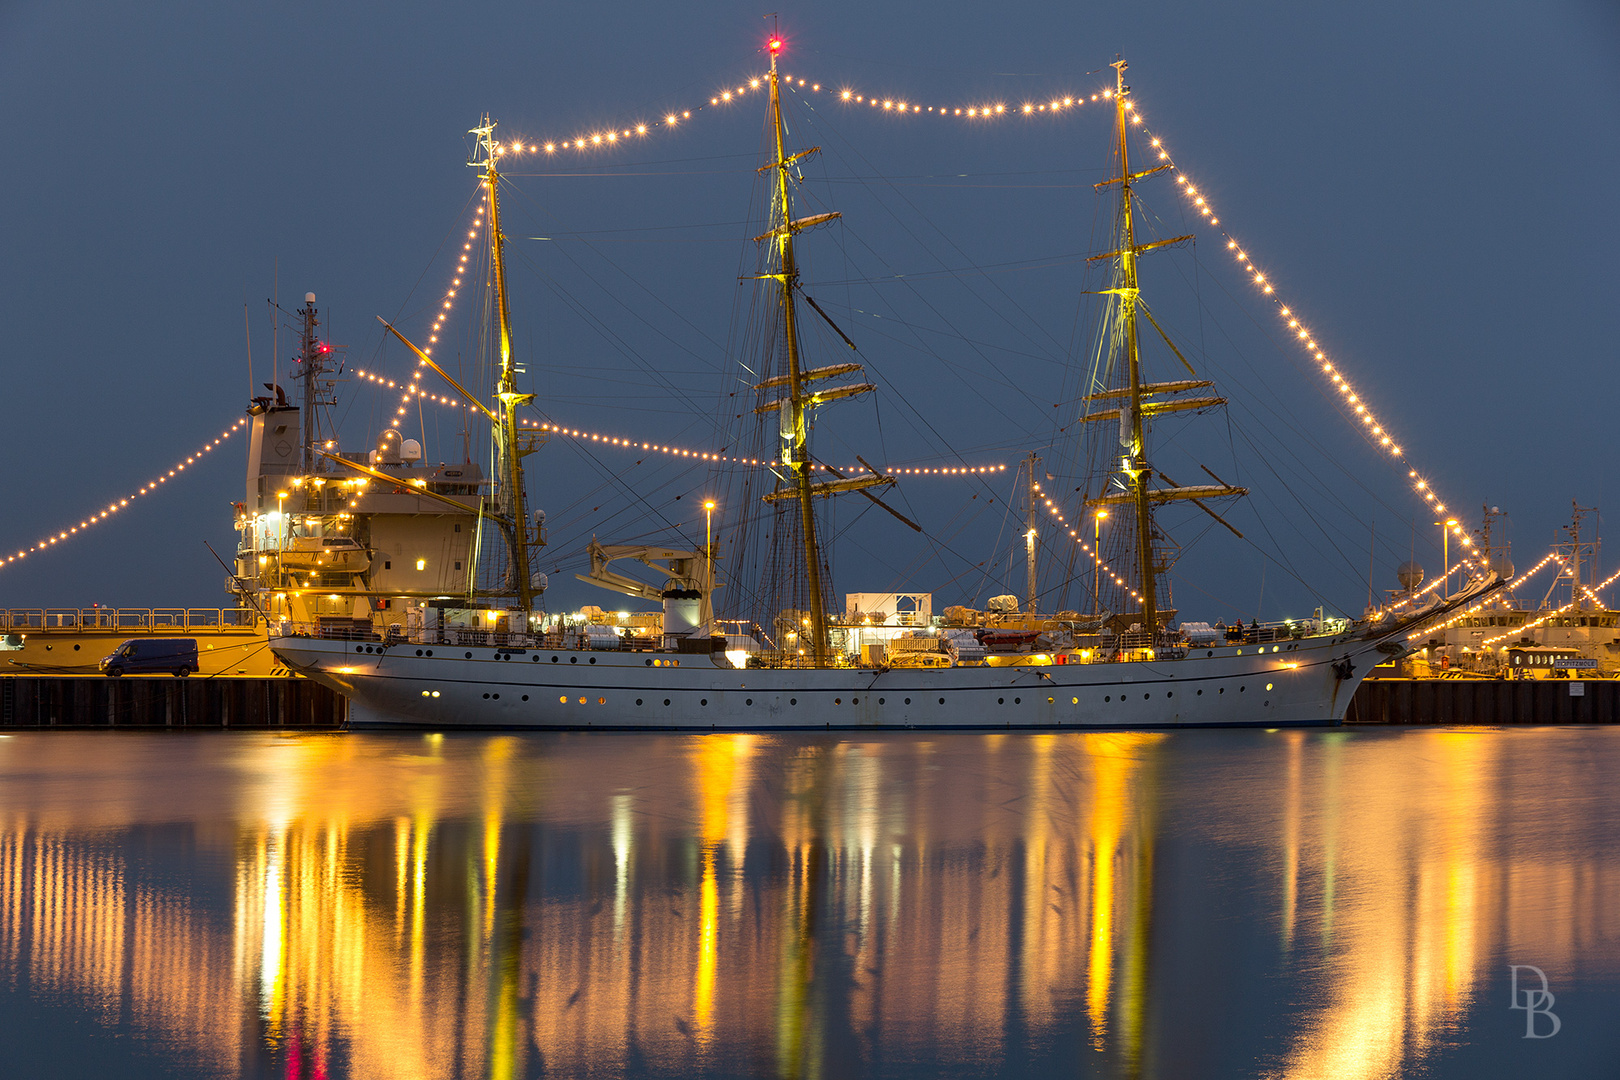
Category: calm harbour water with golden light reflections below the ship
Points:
column 1102, row 904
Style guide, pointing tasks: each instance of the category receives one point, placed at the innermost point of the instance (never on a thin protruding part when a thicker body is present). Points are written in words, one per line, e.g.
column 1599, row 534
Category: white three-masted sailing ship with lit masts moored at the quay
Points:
column 509, row 674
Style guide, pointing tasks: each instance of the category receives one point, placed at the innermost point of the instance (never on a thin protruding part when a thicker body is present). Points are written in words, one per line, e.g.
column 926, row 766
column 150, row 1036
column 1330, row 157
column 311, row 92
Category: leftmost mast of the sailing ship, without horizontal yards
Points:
column 509, row 456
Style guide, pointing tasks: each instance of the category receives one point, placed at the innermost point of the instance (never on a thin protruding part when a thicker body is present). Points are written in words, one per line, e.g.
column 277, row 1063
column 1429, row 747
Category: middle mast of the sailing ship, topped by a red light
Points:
column 795, row 410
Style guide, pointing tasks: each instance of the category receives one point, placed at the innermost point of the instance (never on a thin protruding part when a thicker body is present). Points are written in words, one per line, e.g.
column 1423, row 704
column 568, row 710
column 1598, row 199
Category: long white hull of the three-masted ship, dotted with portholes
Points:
column 446, row 687
